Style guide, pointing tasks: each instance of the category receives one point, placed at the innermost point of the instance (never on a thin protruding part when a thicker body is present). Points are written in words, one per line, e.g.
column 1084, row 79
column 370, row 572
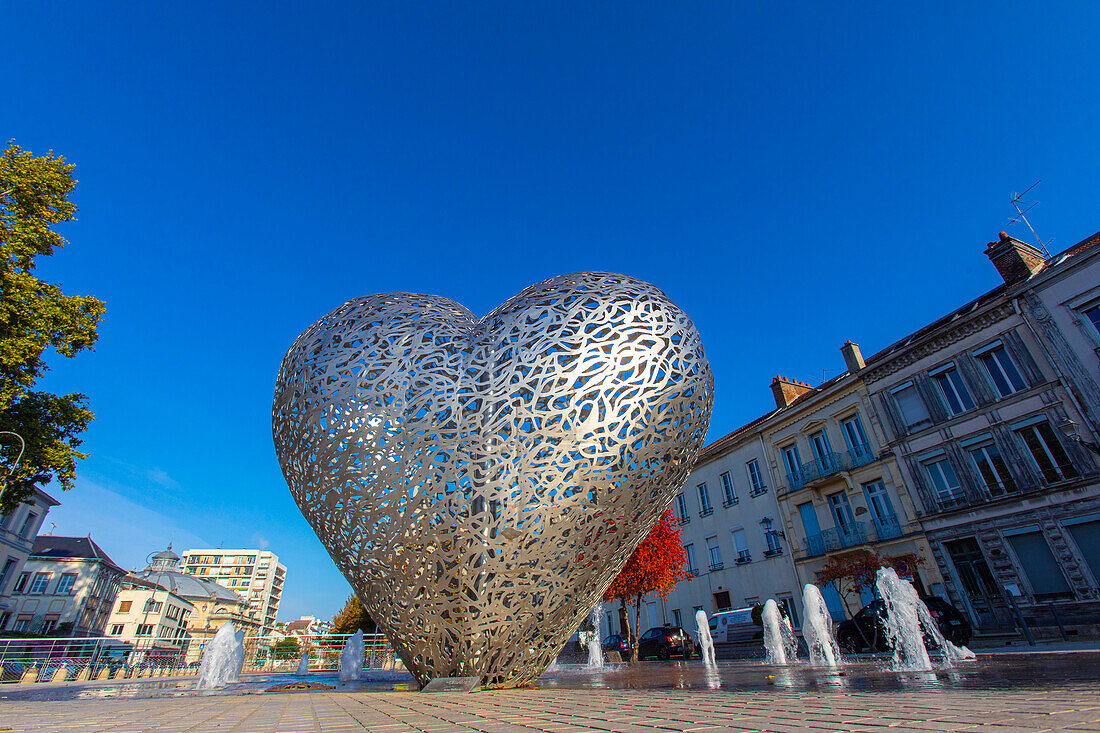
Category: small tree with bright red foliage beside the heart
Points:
column 656, row 566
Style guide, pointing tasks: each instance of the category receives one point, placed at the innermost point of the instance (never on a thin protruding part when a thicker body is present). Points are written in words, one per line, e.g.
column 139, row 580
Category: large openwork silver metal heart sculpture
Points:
column 481, row 483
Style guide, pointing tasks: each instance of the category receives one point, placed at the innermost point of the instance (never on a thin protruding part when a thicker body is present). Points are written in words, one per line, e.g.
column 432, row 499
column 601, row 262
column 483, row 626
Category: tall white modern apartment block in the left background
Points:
column 257, row 576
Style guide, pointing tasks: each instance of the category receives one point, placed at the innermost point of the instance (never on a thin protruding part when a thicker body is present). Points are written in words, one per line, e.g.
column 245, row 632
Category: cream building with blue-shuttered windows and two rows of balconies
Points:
column 839, row 489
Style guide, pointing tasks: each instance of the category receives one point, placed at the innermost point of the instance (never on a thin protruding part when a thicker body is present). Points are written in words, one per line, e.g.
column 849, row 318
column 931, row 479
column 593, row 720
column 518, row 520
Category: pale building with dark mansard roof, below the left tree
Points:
column 68, row 587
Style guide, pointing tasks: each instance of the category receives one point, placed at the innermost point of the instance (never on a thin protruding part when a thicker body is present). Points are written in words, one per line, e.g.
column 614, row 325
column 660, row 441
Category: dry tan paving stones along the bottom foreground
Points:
column 1059, row 708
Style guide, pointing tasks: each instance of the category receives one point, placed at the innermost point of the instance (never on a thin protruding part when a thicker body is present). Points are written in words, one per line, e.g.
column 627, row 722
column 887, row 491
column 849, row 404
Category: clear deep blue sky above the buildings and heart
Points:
column 794, row 176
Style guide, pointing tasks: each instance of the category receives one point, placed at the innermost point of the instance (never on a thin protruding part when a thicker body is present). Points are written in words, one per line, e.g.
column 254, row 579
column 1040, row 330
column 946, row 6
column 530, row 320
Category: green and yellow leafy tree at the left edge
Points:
column 37, row 316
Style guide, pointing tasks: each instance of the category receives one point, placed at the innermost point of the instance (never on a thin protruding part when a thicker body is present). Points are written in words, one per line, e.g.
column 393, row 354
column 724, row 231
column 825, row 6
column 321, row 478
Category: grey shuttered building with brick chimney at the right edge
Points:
column 992, row 412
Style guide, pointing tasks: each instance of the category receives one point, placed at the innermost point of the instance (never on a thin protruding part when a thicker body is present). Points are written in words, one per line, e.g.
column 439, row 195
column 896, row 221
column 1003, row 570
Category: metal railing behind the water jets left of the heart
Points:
column 106, row 658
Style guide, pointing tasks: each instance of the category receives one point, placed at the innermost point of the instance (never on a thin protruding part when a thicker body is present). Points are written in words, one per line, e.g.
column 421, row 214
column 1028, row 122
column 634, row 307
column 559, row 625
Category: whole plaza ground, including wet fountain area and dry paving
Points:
column 1000, row 694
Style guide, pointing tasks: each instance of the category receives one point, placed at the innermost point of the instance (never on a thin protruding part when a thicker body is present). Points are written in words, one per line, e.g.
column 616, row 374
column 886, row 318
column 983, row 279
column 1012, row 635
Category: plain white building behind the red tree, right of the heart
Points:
column 731, row 528
